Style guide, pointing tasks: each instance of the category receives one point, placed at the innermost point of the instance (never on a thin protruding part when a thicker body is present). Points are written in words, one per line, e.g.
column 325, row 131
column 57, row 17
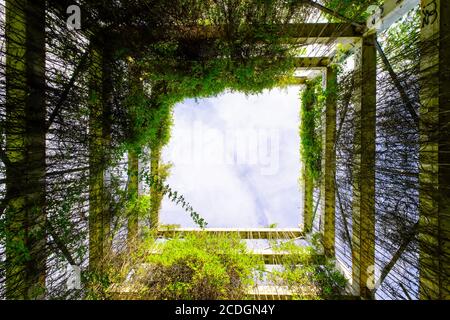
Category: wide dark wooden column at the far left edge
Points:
column 25, row 131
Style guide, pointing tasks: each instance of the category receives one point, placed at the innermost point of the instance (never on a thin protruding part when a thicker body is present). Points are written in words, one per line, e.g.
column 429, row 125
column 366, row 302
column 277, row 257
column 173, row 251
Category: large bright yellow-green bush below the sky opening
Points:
column 198, row 267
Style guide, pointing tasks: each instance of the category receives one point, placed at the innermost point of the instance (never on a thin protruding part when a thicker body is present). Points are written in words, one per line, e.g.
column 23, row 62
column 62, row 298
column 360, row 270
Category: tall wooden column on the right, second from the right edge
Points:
column 363, row 215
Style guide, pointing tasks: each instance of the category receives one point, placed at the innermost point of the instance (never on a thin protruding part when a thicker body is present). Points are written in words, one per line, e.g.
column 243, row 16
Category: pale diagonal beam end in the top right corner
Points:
column 389, row 13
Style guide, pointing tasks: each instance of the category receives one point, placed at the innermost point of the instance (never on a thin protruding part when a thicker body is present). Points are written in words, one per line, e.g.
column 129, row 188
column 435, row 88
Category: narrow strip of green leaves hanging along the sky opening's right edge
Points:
column 312, row 104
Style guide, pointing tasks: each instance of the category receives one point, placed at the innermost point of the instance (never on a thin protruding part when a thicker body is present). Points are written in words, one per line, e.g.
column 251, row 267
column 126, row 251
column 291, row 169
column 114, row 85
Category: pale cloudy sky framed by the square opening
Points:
column 236, row 160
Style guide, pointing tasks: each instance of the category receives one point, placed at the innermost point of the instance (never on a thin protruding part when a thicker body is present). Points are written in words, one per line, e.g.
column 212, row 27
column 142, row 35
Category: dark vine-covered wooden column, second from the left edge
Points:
column 100, row 104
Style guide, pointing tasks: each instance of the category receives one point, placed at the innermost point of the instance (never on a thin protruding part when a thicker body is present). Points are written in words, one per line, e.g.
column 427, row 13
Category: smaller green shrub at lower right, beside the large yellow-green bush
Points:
column 308, row 274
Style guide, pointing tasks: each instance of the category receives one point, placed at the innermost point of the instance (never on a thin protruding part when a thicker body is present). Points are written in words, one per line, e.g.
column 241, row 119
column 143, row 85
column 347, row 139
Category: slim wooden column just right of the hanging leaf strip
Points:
column 329, row 162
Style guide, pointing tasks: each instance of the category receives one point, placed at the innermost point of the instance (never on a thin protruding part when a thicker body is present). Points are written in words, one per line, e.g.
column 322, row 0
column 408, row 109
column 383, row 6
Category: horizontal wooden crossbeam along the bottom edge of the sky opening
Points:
column 243, row 233
